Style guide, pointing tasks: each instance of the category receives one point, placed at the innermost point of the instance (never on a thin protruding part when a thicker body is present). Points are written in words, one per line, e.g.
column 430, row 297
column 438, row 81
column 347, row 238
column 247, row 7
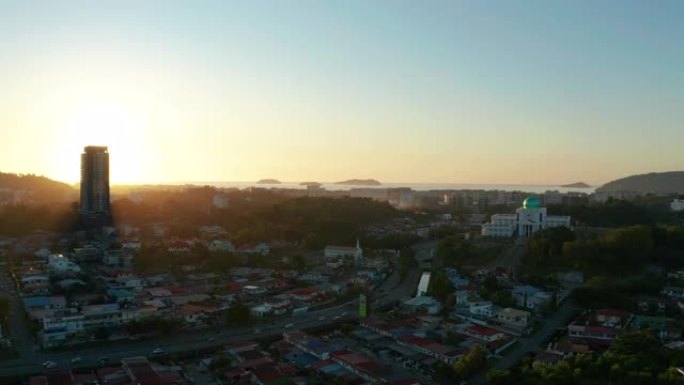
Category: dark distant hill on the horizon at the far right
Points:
column 656, row 182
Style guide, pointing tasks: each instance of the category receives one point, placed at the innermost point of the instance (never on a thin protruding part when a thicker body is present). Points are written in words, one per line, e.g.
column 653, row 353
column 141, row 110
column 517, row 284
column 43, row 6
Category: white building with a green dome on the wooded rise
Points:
column 526, row 220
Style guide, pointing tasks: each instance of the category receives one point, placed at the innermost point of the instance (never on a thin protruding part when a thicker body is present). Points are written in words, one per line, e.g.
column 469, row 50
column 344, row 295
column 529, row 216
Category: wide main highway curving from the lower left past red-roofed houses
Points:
column 30, row 361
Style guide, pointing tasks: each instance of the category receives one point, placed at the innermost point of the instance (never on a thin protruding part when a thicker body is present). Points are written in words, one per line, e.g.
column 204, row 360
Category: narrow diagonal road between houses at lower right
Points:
column 537, row 341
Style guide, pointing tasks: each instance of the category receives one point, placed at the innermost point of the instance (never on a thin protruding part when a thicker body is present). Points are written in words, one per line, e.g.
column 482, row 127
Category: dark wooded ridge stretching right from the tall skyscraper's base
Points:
column 258, row 215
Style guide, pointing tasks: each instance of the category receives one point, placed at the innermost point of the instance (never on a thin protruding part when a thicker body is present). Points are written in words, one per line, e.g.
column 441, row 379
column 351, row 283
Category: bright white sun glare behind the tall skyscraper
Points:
column 104, row 124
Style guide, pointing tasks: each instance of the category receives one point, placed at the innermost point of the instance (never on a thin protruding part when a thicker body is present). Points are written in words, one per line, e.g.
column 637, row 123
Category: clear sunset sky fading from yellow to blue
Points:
column 527, row 92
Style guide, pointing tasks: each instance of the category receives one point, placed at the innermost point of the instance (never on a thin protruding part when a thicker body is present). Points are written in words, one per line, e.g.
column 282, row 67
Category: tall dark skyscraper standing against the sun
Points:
column 95, row 182
